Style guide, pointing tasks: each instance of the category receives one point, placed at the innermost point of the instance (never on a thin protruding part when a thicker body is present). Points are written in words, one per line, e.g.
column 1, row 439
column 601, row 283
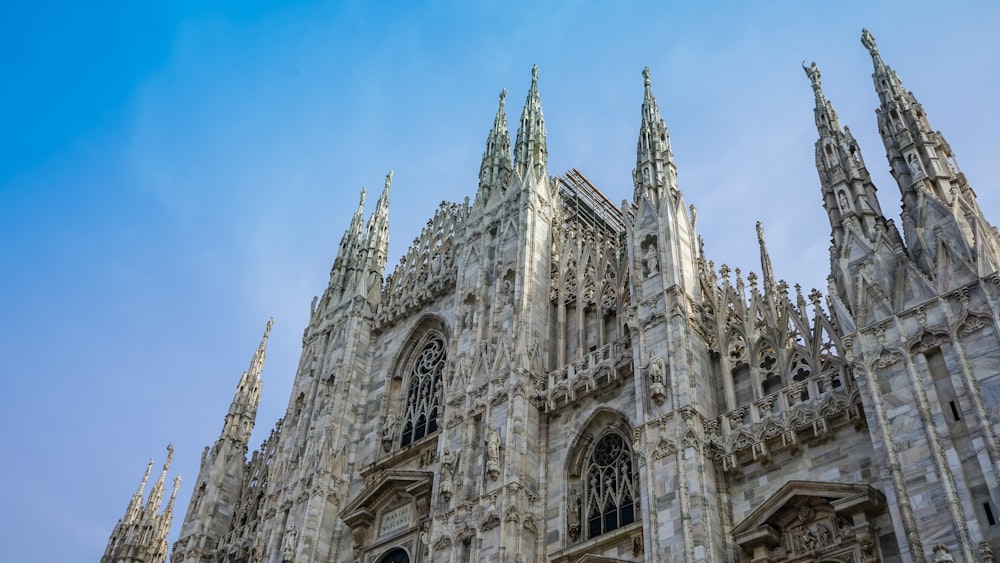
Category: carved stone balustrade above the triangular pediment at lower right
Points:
column 809, row 409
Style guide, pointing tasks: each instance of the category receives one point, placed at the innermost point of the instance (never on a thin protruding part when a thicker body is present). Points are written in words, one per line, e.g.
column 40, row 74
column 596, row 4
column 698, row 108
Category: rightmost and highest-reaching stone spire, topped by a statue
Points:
column 938, row 203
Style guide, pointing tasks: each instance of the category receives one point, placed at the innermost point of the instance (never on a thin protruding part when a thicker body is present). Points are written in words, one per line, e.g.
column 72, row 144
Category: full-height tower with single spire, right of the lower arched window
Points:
column 673, row 383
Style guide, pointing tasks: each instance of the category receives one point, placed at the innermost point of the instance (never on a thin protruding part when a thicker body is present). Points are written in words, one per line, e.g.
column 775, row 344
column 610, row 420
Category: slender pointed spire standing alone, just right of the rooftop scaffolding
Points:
column 654, row 162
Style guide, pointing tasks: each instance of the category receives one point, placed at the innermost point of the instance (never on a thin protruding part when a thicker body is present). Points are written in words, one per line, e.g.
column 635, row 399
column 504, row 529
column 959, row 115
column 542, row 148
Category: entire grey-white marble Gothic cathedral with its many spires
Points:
column 546, row 376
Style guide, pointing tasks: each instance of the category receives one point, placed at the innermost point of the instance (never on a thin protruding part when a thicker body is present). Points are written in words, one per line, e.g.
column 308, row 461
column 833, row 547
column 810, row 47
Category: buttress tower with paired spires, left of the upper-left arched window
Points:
column 314, row 456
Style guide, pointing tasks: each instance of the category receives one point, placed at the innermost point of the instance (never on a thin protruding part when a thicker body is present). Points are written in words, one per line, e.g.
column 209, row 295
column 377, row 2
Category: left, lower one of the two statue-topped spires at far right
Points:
column 848, row 192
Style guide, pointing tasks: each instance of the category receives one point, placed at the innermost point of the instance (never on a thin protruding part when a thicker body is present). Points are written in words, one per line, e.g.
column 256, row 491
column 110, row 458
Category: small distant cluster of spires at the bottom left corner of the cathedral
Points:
column 141, row 535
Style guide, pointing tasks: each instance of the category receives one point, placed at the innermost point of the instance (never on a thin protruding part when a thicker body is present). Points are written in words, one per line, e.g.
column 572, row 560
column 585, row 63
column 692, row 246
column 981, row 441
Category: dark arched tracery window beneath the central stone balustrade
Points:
column 609, row 485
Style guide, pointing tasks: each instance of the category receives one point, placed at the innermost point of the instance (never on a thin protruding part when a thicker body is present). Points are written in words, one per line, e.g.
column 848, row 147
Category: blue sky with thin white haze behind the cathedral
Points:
column 173, row 174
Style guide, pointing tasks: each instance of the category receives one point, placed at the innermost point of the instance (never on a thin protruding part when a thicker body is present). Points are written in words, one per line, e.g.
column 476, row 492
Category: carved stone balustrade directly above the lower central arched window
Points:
column 588, row 373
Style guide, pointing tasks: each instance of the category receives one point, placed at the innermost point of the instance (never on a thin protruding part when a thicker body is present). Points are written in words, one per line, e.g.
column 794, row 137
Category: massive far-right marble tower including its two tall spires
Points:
column 919, row 319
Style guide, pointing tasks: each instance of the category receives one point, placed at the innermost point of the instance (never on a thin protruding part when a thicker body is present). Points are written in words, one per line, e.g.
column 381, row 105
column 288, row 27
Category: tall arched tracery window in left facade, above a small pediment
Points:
column 423, row 396
